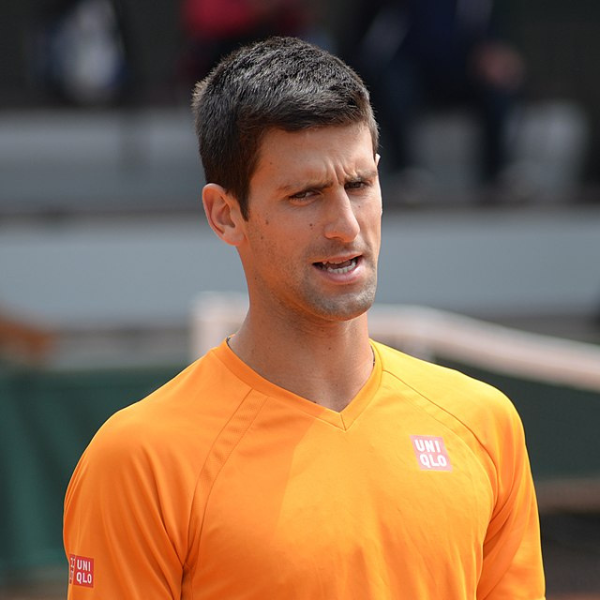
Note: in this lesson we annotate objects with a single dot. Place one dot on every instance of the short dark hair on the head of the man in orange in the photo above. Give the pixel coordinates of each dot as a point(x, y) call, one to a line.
point(280, 83)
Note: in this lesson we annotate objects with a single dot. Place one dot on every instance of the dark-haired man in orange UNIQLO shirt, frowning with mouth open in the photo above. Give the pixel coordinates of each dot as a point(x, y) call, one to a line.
point(299, 459)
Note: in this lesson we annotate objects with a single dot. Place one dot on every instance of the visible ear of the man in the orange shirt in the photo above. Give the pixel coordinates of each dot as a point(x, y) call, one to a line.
point(223, 214)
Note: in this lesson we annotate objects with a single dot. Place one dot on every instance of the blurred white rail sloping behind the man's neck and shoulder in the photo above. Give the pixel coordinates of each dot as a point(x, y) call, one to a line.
point(427, 333)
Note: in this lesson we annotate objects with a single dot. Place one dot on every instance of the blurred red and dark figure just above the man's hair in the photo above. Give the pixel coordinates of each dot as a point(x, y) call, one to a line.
point(214, 28)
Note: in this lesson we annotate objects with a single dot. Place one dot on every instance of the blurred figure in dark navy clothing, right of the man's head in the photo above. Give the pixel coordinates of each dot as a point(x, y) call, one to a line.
point(418, 54)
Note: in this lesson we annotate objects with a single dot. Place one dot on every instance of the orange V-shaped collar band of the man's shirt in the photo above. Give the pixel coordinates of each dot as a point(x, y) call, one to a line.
point(342, 419)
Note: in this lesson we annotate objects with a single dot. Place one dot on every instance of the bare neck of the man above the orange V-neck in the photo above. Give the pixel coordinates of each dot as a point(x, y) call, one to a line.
point(327, 363)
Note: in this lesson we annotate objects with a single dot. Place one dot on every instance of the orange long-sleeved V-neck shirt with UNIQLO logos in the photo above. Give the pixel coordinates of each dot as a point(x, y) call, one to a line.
point(221, 485)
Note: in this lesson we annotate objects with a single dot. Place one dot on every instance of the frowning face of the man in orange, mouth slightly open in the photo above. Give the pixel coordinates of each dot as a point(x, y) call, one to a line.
point(313, 232)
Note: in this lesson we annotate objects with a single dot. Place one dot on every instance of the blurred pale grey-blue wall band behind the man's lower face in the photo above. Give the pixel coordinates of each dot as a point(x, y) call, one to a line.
point(143, 271)
